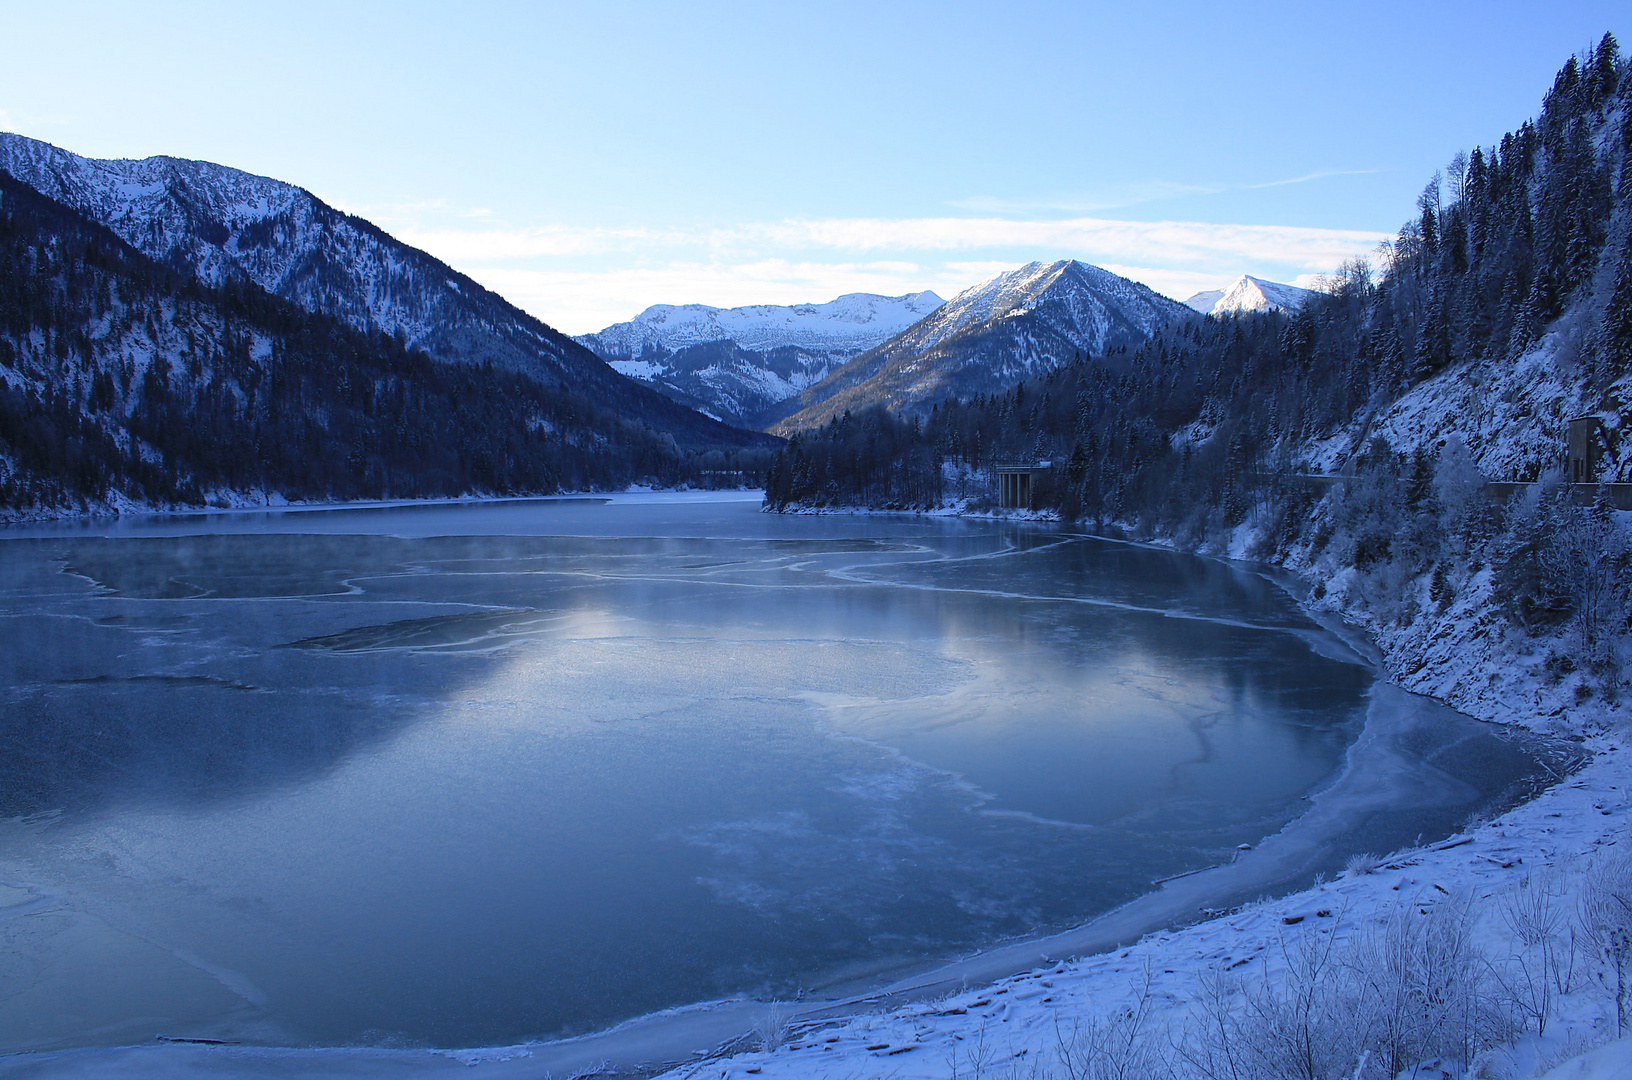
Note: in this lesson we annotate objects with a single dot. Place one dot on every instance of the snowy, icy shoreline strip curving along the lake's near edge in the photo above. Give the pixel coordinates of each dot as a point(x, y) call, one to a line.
point(921, 1025)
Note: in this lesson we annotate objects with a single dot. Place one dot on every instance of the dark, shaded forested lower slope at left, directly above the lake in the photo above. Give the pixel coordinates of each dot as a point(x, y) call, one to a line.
point(125, 383)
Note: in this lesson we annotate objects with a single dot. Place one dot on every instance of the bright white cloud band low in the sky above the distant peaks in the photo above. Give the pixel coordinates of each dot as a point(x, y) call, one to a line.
point(587, 278)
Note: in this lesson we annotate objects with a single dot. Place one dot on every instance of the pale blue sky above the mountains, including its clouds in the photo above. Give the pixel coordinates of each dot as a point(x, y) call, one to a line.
point(592, 159)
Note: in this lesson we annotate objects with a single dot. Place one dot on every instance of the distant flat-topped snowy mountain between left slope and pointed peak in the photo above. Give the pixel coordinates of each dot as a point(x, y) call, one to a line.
point(738, 363)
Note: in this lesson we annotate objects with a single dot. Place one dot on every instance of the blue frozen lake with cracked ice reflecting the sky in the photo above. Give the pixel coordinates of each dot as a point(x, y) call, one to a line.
point(464, 776)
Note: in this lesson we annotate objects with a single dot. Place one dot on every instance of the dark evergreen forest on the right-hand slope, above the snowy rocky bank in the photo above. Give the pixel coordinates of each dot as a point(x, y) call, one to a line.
point(1202, 423)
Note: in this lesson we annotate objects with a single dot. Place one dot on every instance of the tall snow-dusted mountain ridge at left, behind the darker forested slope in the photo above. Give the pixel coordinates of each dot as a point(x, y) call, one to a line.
point(223, 224)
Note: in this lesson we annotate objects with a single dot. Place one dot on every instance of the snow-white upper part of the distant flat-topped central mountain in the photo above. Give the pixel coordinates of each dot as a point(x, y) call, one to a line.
point(853, 324)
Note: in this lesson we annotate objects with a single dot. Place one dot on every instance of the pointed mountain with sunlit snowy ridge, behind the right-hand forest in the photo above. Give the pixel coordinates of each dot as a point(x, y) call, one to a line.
point(1018, 325)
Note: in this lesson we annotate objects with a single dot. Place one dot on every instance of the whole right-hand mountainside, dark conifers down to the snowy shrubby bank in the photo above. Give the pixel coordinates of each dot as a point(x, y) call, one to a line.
point(1502, 309)
